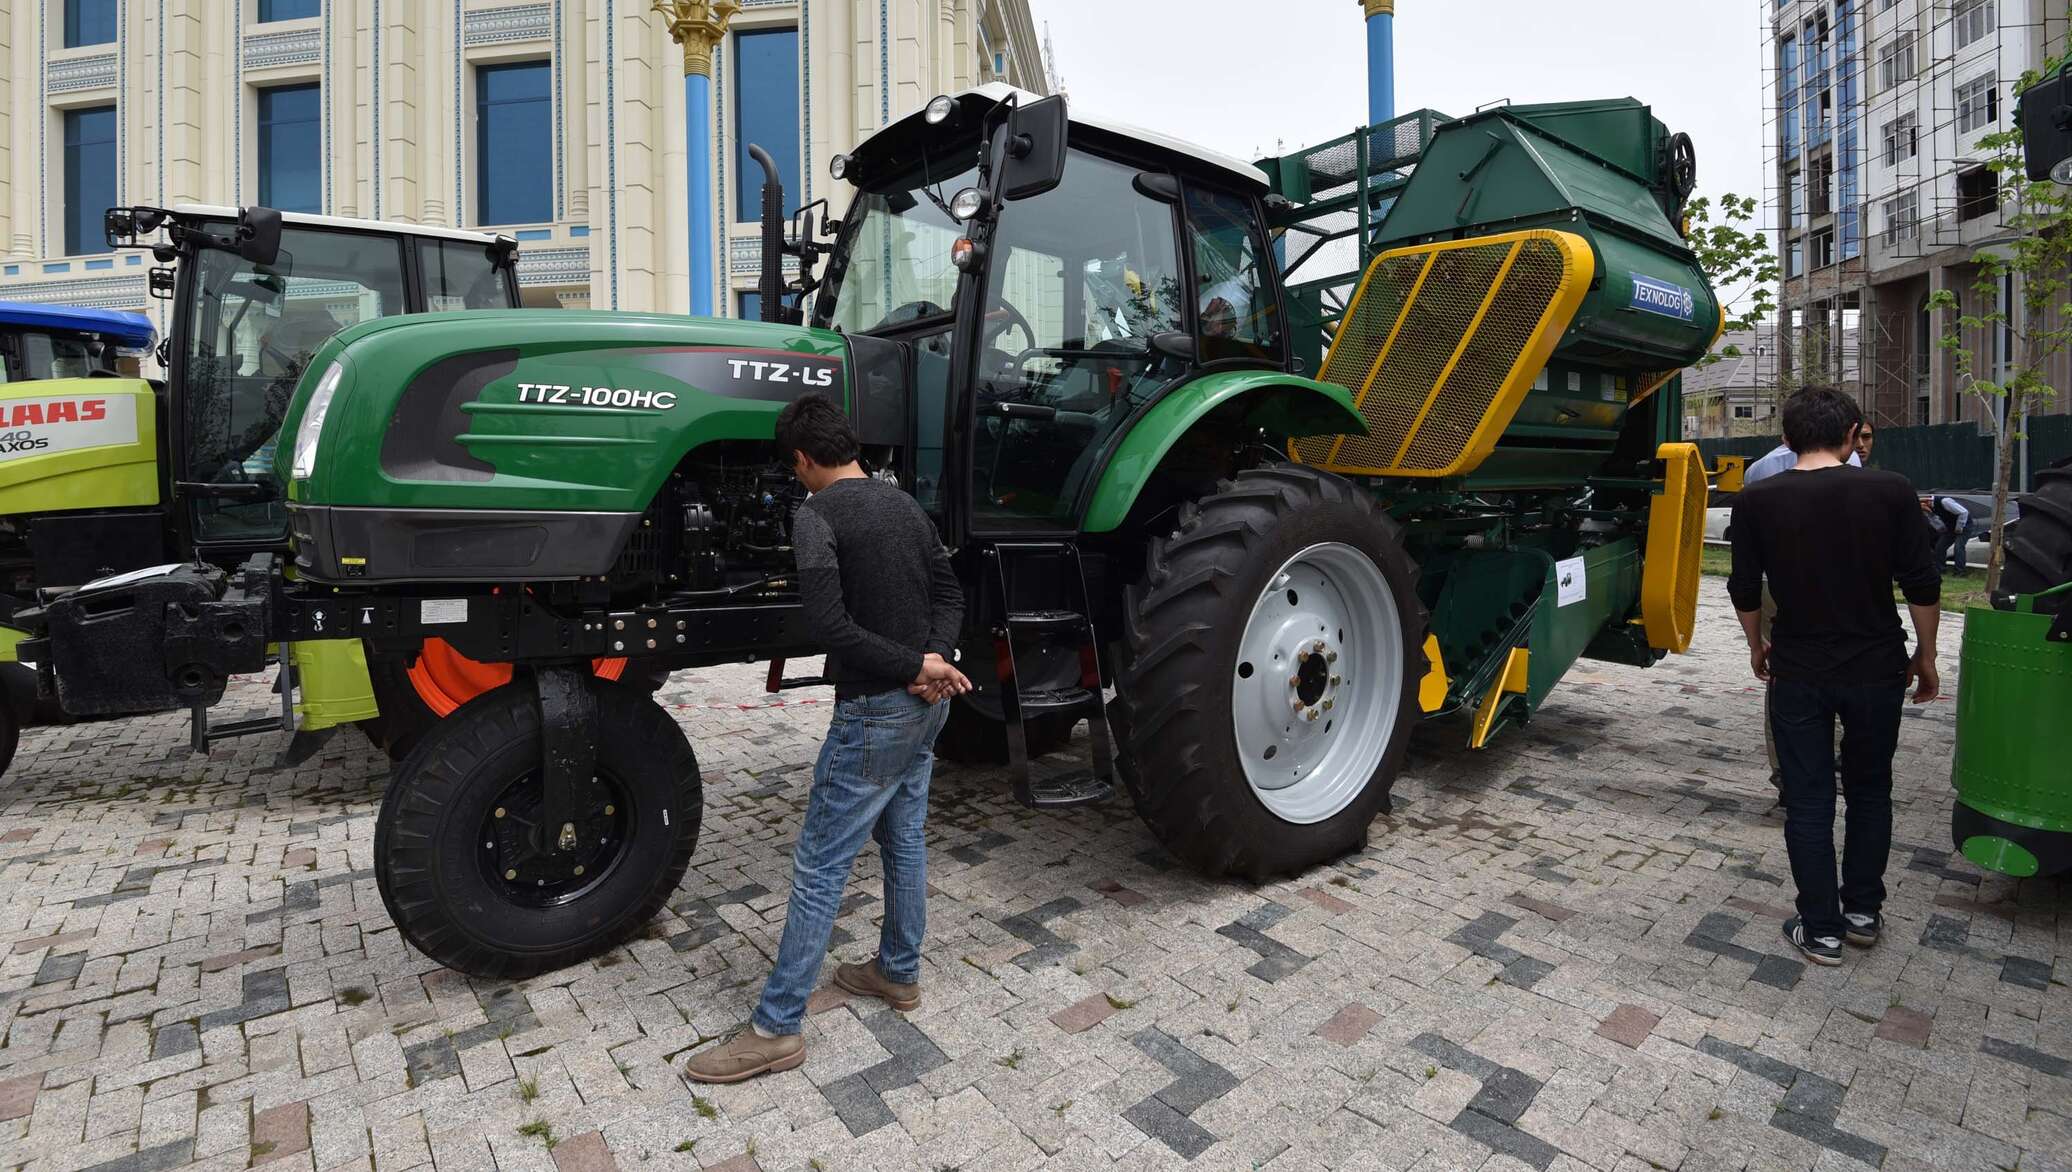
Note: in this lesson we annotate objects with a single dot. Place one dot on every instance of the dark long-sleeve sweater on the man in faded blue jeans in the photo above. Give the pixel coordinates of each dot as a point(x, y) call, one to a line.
point(877, 585)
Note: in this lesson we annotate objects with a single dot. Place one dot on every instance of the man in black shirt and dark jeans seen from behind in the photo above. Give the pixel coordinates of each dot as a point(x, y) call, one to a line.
point(1833, 541)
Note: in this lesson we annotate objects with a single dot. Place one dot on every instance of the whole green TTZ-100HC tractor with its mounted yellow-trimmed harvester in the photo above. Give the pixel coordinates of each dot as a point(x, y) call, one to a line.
point(1074, 343)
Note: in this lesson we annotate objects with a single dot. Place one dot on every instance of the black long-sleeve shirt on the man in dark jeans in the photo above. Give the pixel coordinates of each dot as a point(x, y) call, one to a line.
point(1833, 541)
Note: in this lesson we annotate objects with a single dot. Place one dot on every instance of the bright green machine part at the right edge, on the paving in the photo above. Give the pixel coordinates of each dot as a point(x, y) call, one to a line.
point(2013, 742)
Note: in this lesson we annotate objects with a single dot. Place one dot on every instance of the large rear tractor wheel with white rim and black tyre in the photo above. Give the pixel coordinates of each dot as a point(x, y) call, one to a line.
point(1267, 676)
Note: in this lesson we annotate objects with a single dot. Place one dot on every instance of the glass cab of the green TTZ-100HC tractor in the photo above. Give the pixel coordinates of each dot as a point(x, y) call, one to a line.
point(1049, 281)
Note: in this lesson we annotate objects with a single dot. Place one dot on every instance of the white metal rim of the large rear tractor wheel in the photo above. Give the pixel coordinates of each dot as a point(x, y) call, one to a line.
point(1317, 682)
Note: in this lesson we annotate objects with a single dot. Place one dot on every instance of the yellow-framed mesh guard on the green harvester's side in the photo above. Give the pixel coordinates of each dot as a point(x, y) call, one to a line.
point(1443, 343)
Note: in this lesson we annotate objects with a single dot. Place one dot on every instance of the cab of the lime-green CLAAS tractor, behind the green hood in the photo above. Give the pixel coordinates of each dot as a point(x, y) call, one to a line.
point(254, 295)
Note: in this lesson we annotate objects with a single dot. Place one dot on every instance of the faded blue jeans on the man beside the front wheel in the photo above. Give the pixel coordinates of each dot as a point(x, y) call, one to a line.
point(871, 782)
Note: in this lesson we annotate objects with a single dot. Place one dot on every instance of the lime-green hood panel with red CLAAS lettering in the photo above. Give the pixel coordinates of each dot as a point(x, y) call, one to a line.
point(78, 444)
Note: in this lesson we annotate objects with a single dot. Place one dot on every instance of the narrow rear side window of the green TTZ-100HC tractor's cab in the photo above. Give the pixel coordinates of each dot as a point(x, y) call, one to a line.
point(1236, 295)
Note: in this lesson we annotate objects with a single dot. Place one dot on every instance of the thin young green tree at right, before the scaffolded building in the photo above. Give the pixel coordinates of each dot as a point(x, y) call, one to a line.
point(2038, 256)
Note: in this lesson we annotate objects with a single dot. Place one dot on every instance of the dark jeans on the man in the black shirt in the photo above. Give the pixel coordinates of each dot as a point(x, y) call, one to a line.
point(1804, 717)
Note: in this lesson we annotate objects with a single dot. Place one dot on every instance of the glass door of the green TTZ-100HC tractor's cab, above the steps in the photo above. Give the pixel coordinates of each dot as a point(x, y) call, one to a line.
point(1083, 281)
